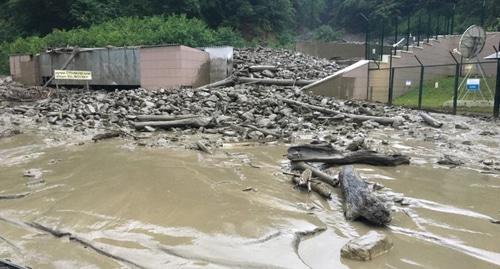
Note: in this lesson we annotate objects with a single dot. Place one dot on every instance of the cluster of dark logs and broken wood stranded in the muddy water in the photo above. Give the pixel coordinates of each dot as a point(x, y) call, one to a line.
point(359, 200)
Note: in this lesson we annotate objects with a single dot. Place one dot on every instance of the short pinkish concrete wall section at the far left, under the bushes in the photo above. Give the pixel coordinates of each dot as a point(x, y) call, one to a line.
point(25, 69)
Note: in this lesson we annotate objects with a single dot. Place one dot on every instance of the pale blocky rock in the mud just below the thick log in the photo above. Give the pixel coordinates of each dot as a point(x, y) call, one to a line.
point(367, 247)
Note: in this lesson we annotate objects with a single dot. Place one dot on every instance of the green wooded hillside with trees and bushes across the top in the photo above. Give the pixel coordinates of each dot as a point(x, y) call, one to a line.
point(31, 25)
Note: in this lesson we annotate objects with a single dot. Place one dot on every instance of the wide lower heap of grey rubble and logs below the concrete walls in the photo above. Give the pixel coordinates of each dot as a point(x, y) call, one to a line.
point(238, 113)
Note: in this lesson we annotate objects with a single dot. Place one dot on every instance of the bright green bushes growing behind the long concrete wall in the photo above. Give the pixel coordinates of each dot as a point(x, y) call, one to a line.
point(127, 32)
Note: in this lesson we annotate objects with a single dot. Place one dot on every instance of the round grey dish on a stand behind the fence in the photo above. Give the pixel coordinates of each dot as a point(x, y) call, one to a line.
point(472, 42)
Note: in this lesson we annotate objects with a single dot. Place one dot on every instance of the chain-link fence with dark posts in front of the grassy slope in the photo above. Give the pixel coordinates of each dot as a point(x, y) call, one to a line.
point(467, 88)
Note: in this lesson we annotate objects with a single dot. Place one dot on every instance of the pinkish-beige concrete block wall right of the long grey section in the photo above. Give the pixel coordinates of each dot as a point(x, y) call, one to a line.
point(173, 67)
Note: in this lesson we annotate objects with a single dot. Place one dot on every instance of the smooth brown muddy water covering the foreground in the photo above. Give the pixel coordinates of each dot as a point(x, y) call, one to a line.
point(174, 208)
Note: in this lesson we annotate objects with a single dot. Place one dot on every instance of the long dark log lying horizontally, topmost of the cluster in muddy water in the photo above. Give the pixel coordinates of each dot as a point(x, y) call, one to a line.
point(327, 154)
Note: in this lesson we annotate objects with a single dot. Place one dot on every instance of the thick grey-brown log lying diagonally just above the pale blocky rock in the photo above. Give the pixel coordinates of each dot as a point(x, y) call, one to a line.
point(359, 200)
